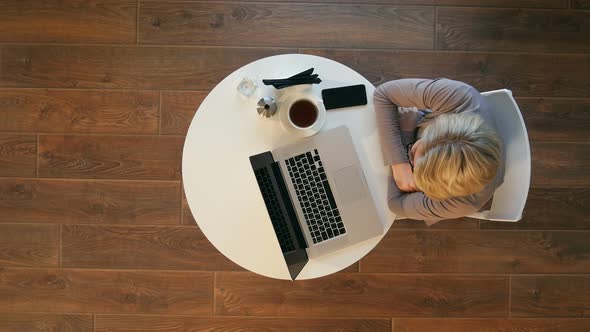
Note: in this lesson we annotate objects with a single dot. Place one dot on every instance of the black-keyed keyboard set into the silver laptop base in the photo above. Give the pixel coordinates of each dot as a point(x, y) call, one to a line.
point(315, 196)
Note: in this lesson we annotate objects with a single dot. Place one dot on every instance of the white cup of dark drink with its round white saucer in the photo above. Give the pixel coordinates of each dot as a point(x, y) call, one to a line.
point(302, 113)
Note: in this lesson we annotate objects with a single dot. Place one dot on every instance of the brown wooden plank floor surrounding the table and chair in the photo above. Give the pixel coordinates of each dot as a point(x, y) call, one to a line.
point(97, 95)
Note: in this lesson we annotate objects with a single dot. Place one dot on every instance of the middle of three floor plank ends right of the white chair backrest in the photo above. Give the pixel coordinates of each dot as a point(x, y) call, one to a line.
point(560, 164)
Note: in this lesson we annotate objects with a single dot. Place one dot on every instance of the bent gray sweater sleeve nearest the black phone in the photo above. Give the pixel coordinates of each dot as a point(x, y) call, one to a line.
point(439, 95)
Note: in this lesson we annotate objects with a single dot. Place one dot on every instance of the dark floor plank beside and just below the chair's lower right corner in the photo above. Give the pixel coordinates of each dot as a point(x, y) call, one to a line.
point(551, 208)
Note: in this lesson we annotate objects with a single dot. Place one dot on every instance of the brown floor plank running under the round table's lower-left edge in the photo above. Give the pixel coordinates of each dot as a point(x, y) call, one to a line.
point(140, 247)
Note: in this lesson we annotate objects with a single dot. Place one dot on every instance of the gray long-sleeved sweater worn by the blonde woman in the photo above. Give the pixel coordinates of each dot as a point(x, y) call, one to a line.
point(439, 96)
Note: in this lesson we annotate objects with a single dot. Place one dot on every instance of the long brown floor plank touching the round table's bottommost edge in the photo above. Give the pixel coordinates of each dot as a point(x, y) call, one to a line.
point(362, 295)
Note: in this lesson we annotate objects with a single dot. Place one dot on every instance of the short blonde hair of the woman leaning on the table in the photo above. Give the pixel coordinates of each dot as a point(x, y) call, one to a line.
point(461, 156)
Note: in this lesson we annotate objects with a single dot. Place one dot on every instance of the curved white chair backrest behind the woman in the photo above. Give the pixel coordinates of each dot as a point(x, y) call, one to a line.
point(510, 197)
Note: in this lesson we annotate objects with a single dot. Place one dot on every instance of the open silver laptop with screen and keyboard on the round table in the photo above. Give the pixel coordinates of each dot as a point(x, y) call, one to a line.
point(316, 196)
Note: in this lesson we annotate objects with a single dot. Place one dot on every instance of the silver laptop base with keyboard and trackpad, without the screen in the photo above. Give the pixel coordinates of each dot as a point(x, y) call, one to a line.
point(354, 205)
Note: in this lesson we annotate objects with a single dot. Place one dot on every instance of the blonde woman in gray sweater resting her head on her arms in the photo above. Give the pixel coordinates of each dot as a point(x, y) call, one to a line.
point(446, 159)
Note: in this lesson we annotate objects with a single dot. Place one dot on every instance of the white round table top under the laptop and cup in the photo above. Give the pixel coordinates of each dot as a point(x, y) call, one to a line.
point(219, 183)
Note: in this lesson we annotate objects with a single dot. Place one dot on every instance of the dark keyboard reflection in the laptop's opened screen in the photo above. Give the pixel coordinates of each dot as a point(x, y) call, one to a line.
point(279, 222)
